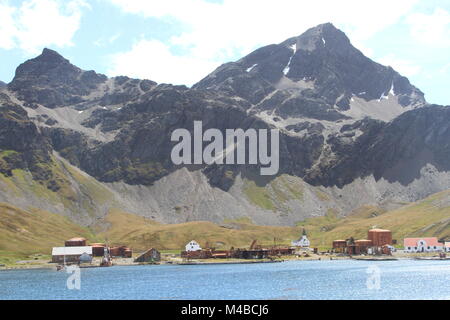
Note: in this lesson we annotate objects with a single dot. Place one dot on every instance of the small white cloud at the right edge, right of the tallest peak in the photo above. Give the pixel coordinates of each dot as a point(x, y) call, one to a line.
point(431, 29)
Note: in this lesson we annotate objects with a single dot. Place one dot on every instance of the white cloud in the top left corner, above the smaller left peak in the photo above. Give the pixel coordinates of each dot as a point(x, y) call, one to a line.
point(38, 23)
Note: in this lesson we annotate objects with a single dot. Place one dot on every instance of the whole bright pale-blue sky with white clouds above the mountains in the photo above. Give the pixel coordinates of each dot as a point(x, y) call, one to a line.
point(181, 41)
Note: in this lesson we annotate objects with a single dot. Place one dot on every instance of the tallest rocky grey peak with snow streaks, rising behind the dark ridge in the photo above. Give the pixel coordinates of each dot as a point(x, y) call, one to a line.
point(320, 71)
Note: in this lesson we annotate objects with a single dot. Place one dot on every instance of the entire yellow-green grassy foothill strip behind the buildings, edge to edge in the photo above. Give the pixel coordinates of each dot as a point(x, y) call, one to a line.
point(26, 232)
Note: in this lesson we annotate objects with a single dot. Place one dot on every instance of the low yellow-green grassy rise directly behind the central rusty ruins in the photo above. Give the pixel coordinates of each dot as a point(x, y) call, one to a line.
point(141, 233)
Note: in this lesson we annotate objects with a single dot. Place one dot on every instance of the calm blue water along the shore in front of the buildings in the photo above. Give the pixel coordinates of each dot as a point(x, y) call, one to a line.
point(406, 279)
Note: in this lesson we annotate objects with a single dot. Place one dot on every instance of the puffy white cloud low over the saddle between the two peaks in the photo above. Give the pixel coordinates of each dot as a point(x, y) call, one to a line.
point(152, 59)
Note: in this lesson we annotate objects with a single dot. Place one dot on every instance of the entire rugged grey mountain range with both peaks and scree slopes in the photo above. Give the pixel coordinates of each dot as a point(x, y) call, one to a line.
point(352, 133)
